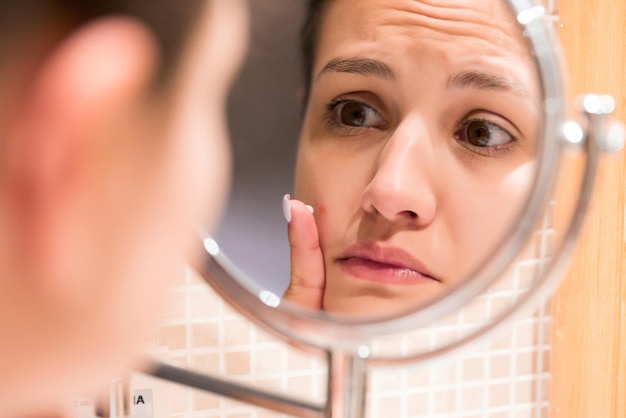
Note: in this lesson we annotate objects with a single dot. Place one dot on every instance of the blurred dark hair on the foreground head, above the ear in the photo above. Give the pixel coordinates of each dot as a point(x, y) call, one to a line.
point(170, 20)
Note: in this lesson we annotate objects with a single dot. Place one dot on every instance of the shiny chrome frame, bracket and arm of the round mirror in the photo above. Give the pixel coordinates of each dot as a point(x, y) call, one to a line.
point(344, 340)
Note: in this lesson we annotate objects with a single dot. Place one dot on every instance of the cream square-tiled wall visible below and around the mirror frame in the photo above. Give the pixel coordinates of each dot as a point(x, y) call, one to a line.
point(506, 376)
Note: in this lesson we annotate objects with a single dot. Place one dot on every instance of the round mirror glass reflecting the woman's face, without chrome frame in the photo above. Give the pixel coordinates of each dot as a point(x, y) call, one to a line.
point(412, 132)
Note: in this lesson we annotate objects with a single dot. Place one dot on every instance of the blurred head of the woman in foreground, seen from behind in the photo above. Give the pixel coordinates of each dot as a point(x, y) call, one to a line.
point(113, 150)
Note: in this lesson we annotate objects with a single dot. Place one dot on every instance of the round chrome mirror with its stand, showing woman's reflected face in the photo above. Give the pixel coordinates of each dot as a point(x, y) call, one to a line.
point(421, 145)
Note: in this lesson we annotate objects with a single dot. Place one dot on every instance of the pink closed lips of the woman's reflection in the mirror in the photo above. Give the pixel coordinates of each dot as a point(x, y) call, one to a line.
point(384, 264)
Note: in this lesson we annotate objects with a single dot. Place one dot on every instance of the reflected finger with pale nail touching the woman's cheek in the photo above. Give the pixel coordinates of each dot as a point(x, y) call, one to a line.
point(308, 279)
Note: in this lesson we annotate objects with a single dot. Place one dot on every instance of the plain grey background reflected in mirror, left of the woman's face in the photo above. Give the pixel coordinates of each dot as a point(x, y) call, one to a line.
point(264, 121)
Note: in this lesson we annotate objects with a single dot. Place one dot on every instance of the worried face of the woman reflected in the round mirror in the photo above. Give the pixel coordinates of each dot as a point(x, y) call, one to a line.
point(417, 147)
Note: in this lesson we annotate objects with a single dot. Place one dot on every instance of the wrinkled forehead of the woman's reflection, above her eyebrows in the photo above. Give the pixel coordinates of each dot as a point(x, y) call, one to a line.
point(446, 34)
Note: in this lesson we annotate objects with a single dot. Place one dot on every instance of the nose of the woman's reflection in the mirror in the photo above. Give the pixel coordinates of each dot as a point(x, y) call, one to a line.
point(401, 189)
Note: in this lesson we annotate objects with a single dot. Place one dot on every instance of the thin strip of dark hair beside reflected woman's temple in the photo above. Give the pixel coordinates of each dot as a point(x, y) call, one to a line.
point(309, 38)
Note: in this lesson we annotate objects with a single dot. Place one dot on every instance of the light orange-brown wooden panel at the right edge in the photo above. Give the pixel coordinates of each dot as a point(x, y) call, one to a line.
point(588, 360)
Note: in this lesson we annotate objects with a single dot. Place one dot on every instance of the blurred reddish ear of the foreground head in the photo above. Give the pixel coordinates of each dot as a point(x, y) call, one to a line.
point(91, 74)
